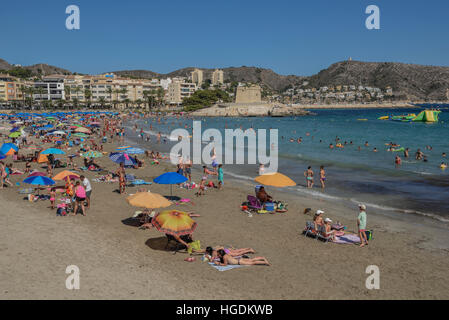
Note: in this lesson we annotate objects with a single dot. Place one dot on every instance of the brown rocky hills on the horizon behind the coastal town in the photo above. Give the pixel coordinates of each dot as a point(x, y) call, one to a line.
point(409, 81)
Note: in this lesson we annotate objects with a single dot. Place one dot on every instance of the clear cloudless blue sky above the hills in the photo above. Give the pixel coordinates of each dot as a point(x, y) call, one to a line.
point(290, 37)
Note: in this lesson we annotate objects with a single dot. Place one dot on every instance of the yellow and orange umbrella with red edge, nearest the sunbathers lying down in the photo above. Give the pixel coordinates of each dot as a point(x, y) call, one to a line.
point(174, 222)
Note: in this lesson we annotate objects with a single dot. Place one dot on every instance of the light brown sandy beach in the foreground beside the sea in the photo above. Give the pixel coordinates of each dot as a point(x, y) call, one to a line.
point(118, 261)
